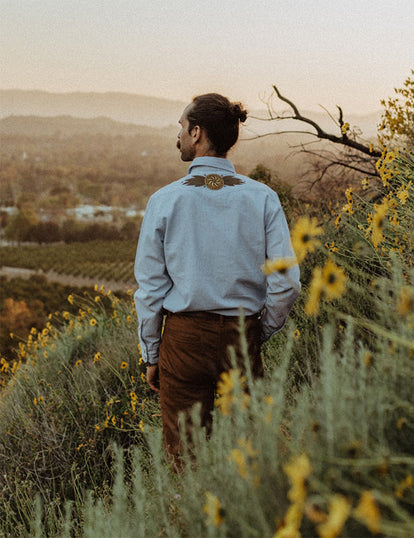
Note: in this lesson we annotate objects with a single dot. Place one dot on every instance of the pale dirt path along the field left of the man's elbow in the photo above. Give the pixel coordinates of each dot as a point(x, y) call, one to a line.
point(67, 280)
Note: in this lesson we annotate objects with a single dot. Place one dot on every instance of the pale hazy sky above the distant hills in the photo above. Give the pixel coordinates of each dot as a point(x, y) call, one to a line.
point(328, 52)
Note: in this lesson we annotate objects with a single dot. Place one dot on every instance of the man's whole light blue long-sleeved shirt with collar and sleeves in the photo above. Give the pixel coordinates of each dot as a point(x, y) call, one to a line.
point(202, 249)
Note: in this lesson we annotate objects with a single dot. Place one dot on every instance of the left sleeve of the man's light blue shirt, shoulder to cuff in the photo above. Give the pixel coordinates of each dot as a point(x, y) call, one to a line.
point(153, 282)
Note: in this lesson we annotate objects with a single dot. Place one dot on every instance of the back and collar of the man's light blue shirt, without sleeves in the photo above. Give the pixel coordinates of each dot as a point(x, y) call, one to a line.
point(214, 240)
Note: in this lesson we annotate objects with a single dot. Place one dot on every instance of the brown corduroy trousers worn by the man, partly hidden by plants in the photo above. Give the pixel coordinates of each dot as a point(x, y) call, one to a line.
point(193, 354)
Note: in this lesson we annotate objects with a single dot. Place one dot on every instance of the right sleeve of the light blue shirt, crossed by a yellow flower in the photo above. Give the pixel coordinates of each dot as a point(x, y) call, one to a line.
point(282, 288)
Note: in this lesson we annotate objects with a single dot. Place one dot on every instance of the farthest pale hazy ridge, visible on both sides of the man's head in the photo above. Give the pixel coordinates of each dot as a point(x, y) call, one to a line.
point(143, 110)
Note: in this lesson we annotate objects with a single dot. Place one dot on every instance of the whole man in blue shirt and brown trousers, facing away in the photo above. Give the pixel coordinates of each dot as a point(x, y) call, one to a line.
point(203, 241)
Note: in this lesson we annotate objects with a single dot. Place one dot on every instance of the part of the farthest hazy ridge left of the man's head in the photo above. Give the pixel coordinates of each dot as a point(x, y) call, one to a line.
point(124, 107)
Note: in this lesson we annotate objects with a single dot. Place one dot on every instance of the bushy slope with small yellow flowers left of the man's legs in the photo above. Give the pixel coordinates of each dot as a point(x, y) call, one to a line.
point(74, 391)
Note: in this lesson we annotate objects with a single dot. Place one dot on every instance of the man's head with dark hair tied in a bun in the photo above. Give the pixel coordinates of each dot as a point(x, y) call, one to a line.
point(209, 126)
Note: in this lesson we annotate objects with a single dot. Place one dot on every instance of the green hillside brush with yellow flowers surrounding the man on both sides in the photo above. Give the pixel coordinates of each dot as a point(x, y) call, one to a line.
point(321, 447)
